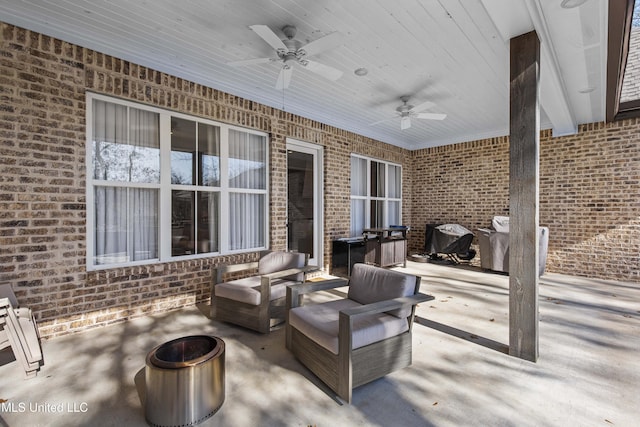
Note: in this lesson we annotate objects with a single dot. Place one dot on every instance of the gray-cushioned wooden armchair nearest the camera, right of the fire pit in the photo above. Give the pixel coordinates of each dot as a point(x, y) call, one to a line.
point(351, 341)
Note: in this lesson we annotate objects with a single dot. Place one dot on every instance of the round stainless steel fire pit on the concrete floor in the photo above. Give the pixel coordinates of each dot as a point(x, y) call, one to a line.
point(184, 381)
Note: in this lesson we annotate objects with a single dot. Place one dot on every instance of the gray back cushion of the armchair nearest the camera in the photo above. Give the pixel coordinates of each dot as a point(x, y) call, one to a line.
point(369, 284)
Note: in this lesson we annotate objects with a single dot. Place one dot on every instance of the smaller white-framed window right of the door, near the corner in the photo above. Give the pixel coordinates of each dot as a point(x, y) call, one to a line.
point(376, 194)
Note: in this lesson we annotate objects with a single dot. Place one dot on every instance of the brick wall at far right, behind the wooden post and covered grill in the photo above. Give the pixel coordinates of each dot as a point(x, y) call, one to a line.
point(589, 195)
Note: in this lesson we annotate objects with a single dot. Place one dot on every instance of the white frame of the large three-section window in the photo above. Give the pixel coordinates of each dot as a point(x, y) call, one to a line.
point(165, 187)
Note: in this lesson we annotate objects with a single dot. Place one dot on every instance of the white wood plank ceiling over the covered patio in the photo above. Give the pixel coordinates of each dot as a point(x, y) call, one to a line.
point(454, 53)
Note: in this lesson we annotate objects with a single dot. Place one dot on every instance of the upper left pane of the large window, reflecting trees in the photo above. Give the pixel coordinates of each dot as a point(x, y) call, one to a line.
point(125, 149)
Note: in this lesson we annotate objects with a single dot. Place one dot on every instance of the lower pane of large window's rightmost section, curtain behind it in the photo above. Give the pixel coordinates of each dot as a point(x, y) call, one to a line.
point(247, 221)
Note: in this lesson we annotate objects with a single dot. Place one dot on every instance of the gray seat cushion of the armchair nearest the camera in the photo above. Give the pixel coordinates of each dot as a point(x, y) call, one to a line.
point(320, 322)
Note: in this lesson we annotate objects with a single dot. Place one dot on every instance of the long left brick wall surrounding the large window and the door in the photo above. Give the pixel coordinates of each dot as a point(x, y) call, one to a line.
point(43, 83)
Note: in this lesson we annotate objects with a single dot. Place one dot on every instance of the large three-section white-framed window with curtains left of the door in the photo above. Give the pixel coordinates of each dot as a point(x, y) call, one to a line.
point(166, 186)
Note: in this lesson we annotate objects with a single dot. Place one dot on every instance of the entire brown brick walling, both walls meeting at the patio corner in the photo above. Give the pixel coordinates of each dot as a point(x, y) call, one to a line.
point(589, 185)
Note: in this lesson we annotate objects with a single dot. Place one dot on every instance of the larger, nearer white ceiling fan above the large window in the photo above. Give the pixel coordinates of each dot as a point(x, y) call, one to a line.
point(291, 51)
